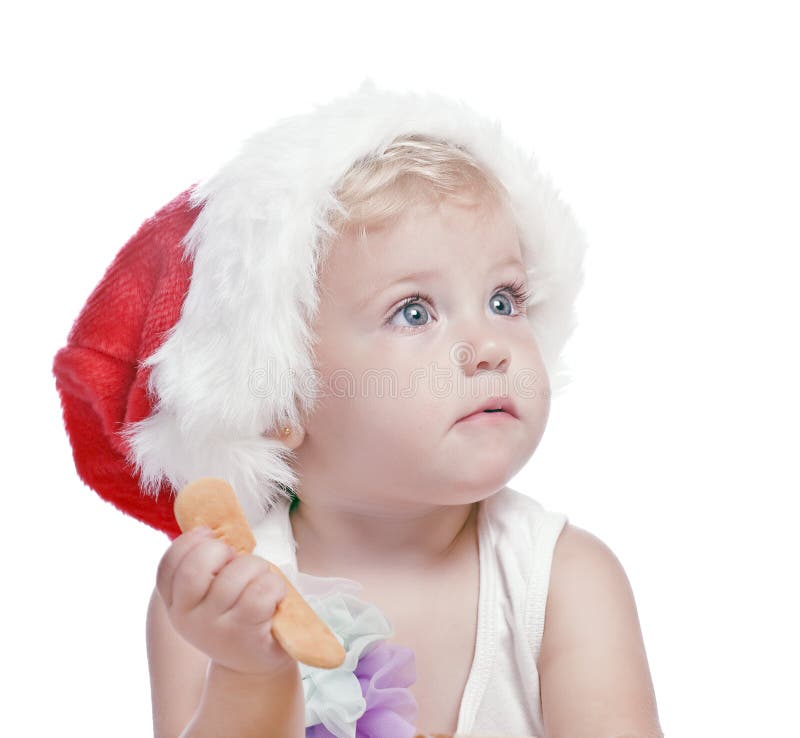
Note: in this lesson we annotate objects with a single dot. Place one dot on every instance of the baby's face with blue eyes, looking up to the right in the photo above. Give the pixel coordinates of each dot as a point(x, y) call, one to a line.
point(397, 378)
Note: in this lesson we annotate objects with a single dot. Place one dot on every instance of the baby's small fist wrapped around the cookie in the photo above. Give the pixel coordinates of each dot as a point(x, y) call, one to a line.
point(222, 602)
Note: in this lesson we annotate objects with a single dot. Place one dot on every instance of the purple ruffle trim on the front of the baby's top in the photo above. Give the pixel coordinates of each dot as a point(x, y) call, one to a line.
point(385, 674)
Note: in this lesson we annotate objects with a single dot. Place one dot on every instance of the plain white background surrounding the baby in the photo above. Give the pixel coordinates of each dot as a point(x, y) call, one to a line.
point(671, 128)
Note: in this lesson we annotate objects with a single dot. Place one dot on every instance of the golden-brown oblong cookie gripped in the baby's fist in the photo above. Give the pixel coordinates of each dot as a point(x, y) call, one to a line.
point(212, 502)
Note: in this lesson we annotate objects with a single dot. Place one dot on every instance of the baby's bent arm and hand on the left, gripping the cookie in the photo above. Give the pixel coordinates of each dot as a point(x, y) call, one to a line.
point(215, 669)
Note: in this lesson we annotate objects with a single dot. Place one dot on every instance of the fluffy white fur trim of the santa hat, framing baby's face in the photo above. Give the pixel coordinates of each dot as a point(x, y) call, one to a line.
point(234, 363)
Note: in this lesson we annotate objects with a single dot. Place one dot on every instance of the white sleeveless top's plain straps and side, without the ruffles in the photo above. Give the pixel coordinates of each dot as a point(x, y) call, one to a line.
point(516, 539)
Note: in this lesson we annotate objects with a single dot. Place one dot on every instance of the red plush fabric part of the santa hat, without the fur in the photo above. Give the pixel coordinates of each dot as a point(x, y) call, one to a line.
point(98, 376)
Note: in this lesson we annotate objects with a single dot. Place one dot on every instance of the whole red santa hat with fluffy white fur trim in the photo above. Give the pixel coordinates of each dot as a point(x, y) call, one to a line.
point(197, 339)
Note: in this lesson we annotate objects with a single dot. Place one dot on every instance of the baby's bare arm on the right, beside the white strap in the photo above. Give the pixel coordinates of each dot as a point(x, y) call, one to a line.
point(593, 671)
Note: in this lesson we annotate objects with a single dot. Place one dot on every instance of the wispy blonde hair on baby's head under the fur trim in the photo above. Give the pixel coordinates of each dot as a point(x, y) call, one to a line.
point(414, 169)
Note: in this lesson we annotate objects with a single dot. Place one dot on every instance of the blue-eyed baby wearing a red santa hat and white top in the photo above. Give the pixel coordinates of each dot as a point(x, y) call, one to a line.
point(358, 324)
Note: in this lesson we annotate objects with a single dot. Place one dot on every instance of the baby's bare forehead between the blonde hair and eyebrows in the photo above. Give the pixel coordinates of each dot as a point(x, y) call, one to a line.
point(431, 238)
